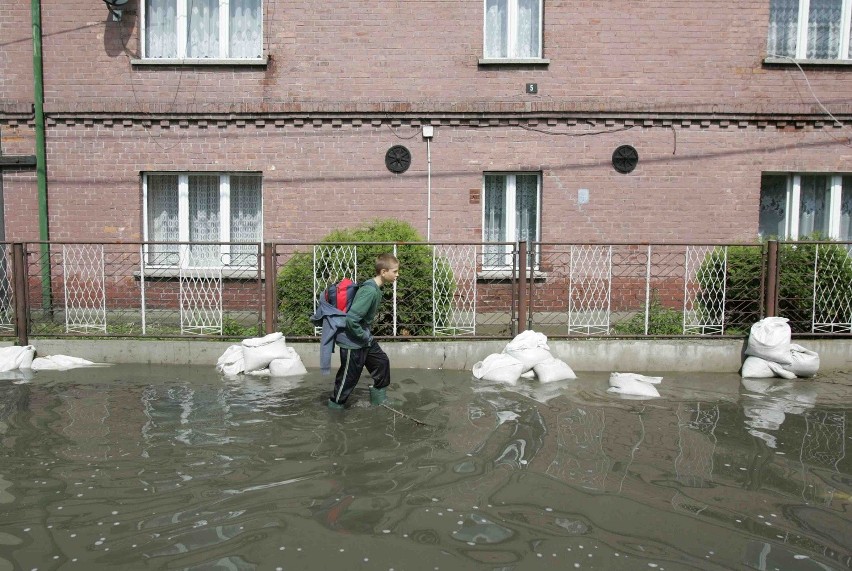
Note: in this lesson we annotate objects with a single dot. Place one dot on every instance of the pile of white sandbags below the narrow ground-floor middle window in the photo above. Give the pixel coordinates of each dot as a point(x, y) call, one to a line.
point(525, 355)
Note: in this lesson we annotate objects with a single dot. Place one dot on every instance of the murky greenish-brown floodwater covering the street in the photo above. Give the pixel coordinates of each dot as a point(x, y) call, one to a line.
point(164, 467)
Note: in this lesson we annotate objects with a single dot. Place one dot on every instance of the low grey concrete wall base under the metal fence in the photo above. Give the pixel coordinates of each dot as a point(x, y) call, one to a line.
point(688, 355)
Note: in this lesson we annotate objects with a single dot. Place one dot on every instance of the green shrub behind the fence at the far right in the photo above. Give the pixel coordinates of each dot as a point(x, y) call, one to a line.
point(796, 282)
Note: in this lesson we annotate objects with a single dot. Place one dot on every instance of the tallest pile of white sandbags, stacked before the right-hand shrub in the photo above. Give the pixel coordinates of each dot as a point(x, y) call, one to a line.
point(772, 354)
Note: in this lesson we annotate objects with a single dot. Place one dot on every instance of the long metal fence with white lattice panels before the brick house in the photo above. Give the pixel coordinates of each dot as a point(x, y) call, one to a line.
point(446, 290)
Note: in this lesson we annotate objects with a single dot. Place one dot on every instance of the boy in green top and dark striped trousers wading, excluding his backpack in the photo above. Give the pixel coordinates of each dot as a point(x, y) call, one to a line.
point(357, 347)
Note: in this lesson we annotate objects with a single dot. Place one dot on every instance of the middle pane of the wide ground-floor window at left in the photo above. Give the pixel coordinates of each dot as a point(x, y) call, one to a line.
point(204, 219)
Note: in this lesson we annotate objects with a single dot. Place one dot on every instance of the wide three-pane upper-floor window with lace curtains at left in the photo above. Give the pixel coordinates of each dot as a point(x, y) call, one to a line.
point(203, 29)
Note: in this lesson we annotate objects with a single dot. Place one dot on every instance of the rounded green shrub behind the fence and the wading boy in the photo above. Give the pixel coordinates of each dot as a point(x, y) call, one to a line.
point(414, 288)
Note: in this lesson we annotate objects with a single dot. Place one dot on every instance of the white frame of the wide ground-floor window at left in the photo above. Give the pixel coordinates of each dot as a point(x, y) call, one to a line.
point(183, 214)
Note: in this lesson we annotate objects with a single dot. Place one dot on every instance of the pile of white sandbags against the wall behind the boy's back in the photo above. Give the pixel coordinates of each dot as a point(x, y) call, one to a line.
point(268, 355)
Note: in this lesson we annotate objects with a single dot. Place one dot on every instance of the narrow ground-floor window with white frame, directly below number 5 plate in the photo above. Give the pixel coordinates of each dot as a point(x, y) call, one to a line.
point(510, 213)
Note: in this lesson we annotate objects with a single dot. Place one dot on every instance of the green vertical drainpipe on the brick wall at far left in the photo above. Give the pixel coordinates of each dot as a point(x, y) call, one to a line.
point(41, 164)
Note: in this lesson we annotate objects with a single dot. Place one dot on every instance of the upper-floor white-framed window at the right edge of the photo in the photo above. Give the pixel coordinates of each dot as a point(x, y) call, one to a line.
point(810, 29)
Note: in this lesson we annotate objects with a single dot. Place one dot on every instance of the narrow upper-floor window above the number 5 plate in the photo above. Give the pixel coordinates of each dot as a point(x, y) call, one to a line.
point(513, 29)
